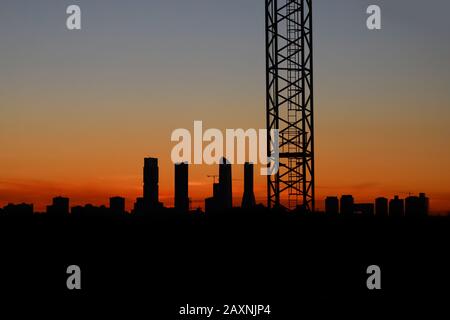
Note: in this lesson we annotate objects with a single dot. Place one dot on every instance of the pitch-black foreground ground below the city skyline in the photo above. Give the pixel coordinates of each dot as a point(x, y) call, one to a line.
point(153, 266)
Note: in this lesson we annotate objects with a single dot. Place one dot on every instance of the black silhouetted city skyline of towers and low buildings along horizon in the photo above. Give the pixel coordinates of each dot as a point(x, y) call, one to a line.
point(221, 200)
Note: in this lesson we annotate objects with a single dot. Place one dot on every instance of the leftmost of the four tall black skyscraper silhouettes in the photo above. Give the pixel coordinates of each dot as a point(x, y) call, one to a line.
point(151, 183)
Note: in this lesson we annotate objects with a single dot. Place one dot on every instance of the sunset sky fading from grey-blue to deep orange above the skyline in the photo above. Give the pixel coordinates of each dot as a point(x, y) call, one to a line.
point(79, 110)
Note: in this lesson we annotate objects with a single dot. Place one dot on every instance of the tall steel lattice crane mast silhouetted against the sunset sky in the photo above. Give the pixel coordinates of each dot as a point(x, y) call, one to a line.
point(289, 81)
